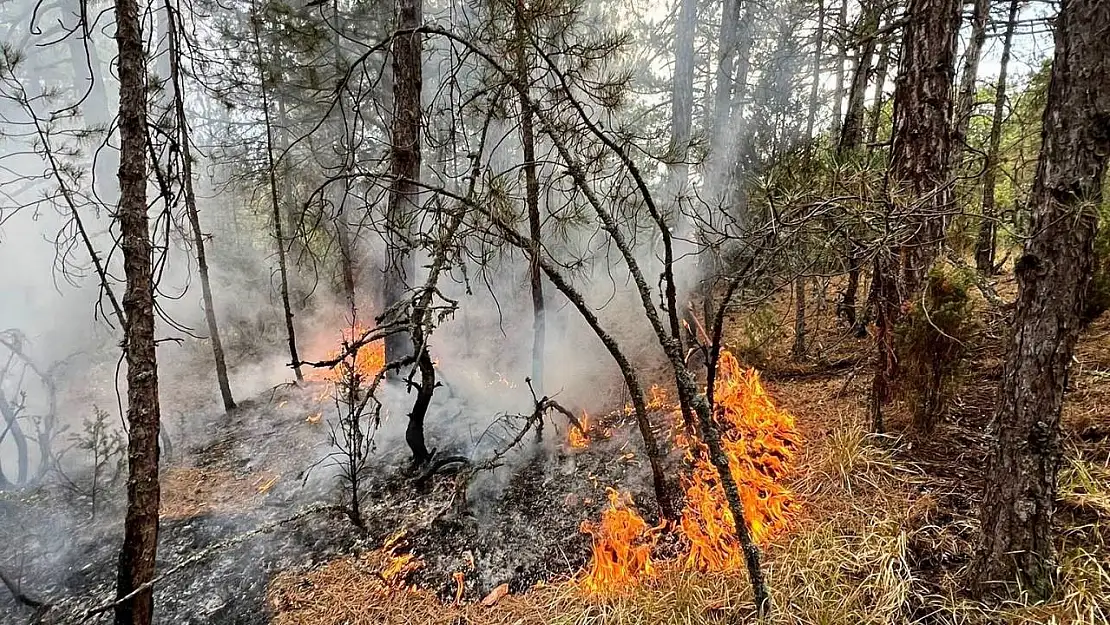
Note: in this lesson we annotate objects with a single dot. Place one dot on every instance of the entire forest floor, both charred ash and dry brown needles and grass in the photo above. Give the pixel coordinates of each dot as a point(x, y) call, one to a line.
point(883, 531)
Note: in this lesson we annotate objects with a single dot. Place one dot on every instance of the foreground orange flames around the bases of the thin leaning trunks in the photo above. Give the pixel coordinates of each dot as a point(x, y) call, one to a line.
point(760, 441)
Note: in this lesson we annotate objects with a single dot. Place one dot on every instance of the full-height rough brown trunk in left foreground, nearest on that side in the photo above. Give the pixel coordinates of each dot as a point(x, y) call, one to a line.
point(140, 527)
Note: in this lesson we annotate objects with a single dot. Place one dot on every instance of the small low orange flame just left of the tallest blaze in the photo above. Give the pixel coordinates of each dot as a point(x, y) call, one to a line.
point(623, 545)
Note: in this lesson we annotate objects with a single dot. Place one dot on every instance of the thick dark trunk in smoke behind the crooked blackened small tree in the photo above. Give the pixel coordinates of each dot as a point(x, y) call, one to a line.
point(405, 166)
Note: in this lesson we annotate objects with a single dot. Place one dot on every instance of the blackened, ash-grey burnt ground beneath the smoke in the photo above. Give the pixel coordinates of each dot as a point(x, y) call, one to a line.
point(267, 462)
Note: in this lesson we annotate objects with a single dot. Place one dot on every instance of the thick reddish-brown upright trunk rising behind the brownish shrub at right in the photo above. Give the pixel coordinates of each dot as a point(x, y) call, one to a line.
point(921, 155)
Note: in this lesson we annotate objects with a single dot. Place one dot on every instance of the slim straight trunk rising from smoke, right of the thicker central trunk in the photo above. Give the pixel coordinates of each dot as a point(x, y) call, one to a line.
point(532, 199)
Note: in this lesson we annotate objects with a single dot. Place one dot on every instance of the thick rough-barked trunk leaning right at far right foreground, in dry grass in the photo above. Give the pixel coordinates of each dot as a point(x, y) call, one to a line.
point(1054, 275)
